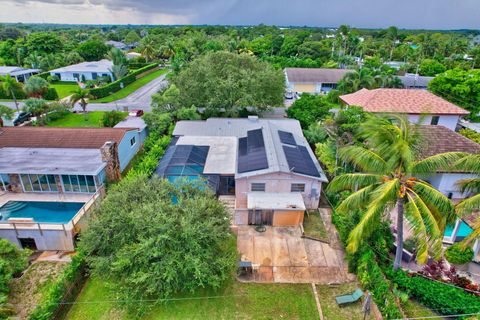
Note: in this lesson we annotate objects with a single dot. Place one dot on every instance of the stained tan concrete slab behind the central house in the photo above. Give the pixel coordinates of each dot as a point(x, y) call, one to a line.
point(282, 255)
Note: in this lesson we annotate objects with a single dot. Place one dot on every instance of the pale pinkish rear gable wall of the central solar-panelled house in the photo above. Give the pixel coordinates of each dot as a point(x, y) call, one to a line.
point(278, 182)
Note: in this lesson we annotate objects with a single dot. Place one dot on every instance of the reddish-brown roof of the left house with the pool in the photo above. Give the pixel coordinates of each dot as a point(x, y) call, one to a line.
point(40, 137)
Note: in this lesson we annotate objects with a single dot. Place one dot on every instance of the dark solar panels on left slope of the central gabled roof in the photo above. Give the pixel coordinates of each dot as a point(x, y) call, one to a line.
point(251, 152)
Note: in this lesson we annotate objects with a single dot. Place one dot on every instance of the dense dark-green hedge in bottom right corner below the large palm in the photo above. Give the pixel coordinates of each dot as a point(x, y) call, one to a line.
point(443, 298)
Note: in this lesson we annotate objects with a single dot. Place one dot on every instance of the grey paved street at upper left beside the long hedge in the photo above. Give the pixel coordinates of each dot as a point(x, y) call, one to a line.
point(139, 99)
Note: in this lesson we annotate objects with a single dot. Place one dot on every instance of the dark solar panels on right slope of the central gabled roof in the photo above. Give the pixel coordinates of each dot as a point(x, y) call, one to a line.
point(298, 157)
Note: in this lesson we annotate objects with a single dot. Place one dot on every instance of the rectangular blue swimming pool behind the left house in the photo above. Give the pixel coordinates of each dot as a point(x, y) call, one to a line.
point(46, 212)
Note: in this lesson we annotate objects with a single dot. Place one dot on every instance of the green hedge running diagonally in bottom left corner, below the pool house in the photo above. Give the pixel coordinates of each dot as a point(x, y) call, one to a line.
point(50, 306)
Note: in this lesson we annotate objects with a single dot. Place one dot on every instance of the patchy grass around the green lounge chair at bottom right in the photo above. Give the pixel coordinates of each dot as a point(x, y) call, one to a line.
point(331, 310)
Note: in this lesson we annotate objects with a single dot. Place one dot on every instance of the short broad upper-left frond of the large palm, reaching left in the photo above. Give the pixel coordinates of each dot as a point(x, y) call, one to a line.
point(362, 158)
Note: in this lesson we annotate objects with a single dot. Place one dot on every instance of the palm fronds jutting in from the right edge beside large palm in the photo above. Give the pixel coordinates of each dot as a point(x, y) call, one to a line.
point(471, 163)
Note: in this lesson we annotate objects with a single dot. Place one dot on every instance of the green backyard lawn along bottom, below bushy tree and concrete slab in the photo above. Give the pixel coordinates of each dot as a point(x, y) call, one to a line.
point(239, 301)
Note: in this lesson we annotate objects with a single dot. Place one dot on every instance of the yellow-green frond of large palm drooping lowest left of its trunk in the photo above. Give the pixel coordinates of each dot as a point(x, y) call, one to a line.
point(384, 198)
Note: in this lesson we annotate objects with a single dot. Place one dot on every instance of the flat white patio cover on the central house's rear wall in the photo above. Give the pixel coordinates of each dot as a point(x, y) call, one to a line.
point(275, 201)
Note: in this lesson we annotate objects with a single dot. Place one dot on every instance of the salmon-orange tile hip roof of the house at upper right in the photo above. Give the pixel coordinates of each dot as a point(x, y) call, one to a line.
point(410, 101)
